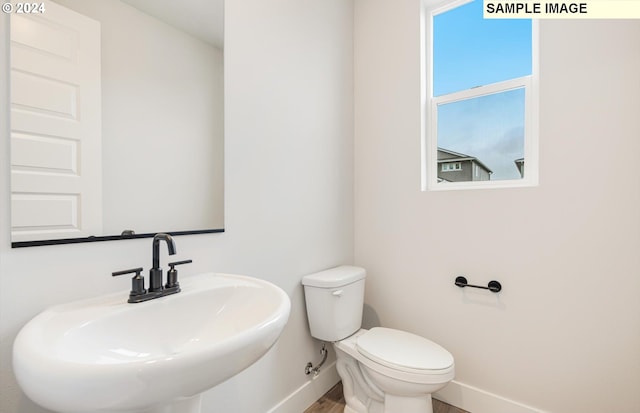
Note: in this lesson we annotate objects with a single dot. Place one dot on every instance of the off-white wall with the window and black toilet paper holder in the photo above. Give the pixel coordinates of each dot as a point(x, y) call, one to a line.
point(564, 335)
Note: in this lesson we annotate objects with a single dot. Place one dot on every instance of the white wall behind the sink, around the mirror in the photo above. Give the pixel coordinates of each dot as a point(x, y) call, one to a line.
point(289, 190)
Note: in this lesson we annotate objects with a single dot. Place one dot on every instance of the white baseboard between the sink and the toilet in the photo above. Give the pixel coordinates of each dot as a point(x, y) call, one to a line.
point(309, 392)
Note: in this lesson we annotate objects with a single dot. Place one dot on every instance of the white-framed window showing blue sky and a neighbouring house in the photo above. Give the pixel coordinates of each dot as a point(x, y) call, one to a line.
point(481, 98)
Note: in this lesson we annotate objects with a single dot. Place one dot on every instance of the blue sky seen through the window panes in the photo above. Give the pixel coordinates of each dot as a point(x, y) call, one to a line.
point(470, 51)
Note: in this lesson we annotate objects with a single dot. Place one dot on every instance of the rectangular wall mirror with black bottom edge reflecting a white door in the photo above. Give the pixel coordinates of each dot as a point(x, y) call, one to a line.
point(135, 150)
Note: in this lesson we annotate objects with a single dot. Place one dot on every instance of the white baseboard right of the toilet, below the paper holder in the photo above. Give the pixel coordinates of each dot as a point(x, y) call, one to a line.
point(473, 399)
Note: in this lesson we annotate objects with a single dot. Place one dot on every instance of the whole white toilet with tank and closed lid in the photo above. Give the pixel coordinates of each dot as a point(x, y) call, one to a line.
point(382, 370)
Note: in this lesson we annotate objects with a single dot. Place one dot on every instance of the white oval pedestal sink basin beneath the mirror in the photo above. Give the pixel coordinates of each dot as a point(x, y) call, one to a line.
point(105, 355)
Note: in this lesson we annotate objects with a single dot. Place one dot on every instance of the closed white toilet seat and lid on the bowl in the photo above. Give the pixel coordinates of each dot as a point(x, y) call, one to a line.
point(403, 351)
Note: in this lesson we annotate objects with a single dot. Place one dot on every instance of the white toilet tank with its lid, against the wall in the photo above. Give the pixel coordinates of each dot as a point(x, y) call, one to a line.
point(334, 299)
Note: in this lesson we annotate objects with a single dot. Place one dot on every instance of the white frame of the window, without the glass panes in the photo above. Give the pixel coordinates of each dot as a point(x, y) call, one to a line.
point(430, 103)
